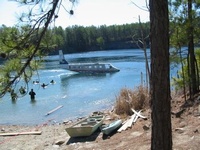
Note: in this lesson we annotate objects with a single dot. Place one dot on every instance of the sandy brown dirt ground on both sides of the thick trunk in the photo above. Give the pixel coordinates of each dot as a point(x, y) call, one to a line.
point(185, 129)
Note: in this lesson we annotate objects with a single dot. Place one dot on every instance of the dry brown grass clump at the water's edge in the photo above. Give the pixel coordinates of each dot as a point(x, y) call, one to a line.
point(127, 99)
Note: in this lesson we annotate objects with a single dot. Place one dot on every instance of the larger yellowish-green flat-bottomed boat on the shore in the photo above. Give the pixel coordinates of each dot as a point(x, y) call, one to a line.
point(86, 126)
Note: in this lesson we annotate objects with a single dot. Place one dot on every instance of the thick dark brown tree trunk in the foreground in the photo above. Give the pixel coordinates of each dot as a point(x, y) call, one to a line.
point(160, 81)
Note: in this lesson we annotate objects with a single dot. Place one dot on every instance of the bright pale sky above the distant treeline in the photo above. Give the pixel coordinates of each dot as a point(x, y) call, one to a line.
point(86, 12)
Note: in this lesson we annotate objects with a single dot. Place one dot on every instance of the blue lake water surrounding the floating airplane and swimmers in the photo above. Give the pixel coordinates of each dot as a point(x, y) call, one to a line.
point(79, 94)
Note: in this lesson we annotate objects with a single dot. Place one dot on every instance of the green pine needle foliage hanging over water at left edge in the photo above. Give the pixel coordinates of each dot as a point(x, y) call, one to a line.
point(16, 50)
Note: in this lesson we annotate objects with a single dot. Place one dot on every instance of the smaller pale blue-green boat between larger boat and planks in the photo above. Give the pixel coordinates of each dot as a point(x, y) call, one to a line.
point(107, 129)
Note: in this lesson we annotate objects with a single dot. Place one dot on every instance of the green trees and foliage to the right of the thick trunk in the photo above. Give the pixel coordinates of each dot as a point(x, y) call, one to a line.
point(184, 31)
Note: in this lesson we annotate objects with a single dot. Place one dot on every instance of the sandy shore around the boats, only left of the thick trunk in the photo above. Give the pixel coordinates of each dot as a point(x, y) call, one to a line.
point(55, 137)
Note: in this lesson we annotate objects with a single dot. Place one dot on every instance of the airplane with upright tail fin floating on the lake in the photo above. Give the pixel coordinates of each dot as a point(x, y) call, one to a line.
point(86, 67)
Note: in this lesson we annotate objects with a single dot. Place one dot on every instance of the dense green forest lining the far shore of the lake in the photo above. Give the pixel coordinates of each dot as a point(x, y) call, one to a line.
point(82, 39)
